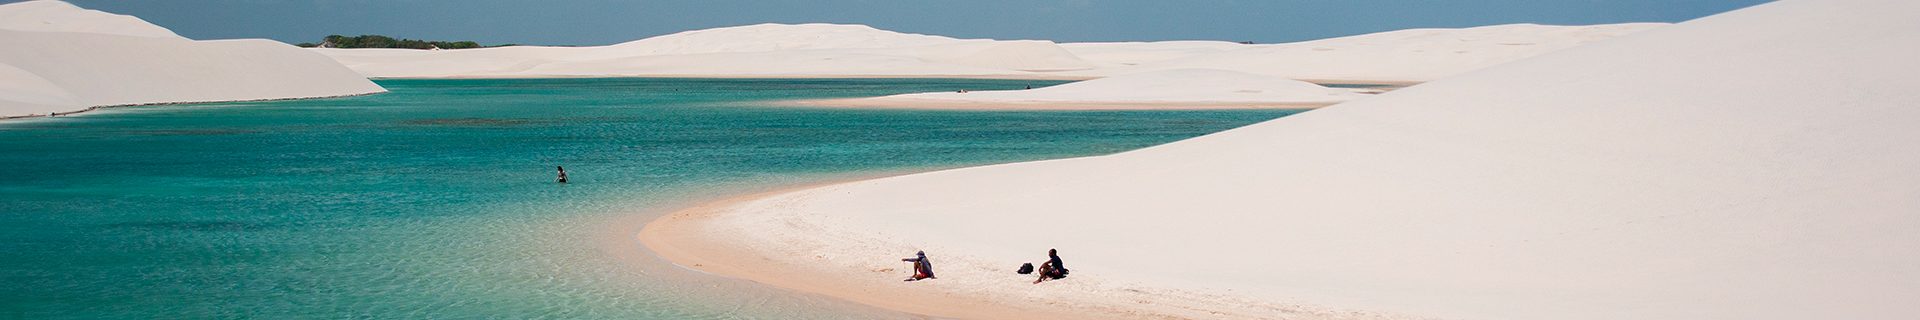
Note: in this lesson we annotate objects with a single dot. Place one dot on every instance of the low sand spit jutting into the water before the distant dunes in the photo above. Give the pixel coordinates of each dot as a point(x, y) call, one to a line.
point(1163, 89)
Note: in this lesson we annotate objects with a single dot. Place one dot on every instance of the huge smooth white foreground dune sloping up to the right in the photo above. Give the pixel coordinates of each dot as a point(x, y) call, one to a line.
point(1748, 166)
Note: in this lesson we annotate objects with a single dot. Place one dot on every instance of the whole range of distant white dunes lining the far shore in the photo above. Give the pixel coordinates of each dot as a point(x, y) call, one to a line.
point(859, 51)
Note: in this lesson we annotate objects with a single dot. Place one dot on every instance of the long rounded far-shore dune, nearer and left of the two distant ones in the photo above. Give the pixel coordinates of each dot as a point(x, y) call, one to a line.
point(752, 51)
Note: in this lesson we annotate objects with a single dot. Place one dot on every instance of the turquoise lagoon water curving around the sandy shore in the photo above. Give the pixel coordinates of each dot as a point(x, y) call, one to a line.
point(439, 200)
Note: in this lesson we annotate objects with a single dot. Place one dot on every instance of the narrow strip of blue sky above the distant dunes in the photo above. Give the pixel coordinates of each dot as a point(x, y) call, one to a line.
point(608, 22)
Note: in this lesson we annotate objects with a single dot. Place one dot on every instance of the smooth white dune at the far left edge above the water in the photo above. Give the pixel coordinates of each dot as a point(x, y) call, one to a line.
point(64, 58)
